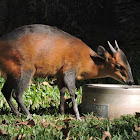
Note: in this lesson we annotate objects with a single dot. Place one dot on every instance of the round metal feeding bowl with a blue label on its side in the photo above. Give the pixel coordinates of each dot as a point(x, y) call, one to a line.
point(110, 100)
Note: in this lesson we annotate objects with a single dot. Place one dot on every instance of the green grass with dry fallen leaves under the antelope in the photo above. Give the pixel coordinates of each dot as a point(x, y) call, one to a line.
point(42, 99)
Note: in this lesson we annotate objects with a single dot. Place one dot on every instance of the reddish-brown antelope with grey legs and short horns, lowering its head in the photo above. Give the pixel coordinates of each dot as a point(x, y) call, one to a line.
point(41, 51)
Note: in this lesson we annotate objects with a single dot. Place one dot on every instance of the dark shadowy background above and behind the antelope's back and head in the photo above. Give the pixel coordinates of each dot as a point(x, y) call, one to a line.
point(93, 21)
